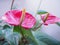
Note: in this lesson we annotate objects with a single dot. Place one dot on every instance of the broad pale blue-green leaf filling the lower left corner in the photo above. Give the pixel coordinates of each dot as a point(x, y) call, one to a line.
point(11, 37)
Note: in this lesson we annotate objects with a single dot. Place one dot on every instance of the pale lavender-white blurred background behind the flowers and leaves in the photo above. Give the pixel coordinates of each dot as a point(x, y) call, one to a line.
point(52, 6)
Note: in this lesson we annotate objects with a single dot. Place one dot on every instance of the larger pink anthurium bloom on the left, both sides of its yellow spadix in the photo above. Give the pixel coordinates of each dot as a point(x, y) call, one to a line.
point(13, 17)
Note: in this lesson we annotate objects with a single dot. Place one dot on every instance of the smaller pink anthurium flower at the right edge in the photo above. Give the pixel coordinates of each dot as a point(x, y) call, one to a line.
point(51, 19)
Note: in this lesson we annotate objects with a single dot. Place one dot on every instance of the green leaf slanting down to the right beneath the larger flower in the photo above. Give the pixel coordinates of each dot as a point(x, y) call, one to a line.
point(29, 35)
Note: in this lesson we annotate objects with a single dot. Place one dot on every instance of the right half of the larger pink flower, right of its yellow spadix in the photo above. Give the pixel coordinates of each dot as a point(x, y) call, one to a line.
point(29, 21)
